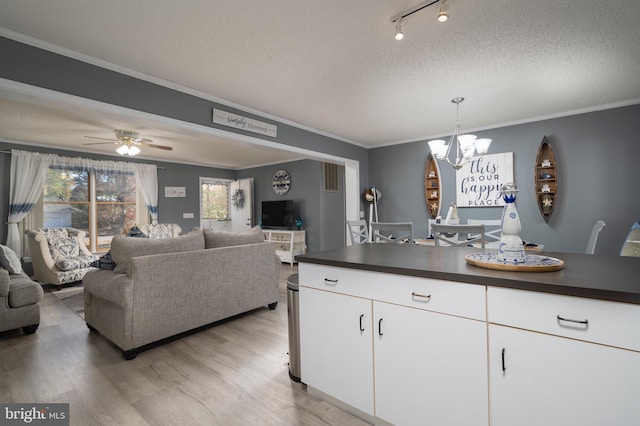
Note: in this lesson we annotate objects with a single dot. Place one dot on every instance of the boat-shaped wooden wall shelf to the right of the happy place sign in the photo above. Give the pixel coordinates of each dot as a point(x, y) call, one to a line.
point(546, 179)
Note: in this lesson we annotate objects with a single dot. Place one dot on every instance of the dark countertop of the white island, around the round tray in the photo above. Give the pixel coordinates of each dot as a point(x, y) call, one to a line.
point(614, 278)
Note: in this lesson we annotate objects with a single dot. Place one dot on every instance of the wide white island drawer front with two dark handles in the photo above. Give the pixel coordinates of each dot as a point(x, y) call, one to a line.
point(461, 299)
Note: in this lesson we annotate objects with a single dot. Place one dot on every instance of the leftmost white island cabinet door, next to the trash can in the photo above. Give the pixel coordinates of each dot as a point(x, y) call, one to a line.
point(336, 353)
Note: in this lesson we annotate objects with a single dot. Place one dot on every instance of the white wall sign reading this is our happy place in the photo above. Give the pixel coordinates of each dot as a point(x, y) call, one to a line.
point(479, 181)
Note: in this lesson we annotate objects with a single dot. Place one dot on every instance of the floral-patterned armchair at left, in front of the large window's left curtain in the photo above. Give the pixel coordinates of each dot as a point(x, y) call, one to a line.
point(59, 255)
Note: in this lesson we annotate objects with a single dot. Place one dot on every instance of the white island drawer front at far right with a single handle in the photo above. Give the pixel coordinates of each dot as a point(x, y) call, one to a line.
point(598, 321)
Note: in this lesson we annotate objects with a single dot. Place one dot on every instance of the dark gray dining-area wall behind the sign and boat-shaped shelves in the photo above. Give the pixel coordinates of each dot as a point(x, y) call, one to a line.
point(597, 155)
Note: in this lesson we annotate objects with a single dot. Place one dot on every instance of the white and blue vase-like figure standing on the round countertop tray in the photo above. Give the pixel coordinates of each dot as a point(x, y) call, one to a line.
point(511, 249)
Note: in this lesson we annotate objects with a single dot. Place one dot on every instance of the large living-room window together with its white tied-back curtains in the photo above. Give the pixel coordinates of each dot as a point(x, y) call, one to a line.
point(101, 197)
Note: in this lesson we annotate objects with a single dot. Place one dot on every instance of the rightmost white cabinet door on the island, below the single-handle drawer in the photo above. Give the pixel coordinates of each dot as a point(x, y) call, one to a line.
point(549, 380)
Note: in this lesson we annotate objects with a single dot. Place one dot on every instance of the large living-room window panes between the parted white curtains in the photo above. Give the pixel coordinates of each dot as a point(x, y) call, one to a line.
point(101, 204)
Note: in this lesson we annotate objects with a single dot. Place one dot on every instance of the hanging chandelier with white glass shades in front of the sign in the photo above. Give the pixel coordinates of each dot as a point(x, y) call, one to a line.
point(466, 145)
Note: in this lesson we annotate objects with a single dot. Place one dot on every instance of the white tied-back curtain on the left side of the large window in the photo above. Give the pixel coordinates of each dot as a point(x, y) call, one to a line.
point(28, 174)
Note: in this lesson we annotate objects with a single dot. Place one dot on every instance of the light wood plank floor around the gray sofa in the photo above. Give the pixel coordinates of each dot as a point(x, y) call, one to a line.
point(231, 373)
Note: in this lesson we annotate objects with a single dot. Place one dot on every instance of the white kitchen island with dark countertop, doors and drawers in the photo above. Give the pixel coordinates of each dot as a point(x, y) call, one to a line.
point(407, 334)
